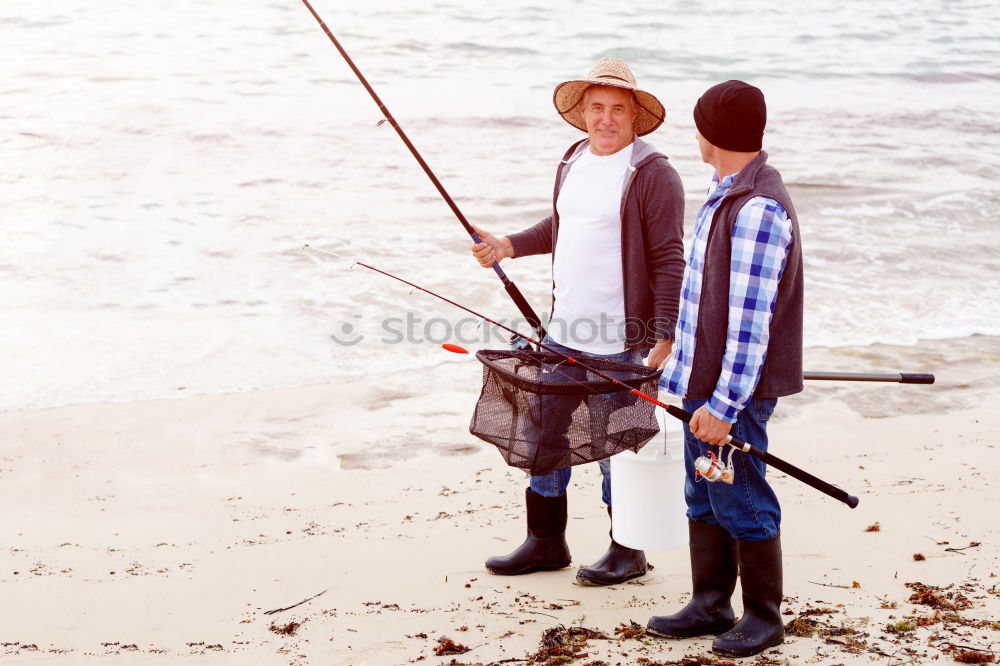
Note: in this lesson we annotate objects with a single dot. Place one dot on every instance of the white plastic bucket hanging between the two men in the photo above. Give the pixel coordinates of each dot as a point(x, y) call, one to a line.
point(647, 491)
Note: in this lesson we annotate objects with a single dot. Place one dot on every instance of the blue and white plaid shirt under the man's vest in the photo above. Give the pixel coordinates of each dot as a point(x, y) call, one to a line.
point(760, 240)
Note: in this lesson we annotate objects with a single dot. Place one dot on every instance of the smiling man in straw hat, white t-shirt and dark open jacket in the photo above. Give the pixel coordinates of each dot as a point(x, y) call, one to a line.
point(615, 235)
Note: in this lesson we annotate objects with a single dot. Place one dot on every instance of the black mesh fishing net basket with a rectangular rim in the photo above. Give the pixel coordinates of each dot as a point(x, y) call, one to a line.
point(544, 413)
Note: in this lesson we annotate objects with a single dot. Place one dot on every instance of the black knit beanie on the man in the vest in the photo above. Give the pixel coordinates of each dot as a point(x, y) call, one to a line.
point(732, 116)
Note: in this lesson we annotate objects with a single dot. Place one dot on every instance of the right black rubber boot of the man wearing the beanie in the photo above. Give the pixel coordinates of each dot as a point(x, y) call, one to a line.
point(760, 577)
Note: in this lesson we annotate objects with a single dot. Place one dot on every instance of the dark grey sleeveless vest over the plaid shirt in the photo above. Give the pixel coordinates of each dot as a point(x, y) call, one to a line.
point(782, 371)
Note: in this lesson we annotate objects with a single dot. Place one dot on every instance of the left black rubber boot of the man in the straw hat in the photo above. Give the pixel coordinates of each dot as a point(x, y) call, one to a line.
point(545, 547)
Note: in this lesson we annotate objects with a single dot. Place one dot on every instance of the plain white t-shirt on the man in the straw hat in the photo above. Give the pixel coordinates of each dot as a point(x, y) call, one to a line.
point(589, 312)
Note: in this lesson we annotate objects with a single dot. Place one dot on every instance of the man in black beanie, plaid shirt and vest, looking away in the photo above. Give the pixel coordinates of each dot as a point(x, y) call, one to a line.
point(738, 349)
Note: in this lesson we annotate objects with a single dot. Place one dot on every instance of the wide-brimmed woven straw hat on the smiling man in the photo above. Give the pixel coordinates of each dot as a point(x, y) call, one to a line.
point(608, 72)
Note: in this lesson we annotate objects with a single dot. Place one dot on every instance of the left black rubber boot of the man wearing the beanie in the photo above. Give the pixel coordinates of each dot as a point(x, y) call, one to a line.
point(713, 579)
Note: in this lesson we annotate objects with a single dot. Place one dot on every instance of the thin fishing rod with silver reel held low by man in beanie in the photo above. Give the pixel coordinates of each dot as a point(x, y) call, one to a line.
point(768, 458)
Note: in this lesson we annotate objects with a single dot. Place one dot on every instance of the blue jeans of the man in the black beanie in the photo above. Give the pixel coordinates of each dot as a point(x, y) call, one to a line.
point(748, 509)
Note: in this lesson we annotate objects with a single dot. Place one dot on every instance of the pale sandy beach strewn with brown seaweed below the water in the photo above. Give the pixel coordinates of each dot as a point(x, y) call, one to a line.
point(177, 530)
